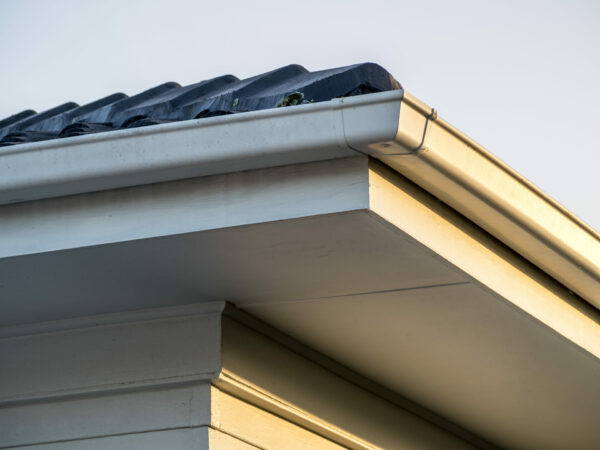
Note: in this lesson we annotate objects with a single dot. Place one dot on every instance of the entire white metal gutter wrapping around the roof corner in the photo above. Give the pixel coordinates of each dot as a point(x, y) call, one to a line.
point(393, 127)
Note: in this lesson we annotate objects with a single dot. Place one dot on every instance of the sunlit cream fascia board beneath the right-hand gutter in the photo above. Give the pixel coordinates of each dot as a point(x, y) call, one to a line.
point(483, 259)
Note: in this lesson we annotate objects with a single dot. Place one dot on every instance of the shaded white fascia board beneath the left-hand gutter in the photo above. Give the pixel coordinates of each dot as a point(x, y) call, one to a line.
point(184, 206)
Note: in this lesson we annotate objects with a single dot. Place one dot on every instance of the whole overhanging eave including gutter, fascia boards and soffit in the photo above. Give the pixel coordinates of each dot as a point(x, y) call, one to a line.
point(282, 213)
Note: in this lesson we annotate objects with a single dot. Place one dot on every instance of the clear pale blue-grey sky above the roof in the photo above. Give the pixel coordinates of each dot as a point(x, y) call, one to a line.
point(522, 78)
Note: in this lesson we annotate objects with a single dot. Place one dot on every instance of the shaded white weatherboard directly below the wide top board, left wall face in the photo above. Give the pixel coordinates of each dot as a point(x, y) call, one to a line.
point(102, 416)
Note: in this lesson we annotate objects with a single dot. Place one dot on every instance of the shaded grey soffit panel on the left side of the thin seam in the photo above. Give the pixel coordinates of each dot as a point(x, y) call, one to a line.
point(290, 260)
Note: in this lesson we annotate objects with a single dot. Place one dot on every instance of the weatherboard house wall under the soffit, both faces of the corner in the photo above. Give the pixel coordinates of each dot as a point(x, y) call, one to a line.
point(316, 408)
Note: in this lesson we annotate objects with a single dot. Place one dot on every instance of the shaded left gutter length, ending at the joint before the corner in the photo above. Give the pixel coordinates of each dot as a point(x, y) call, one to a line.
point(172, 151)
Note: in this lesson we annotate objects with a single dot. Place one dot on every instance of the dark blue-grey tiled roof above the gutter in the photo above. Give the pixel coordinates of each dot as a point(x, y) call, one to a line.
point(171, 102)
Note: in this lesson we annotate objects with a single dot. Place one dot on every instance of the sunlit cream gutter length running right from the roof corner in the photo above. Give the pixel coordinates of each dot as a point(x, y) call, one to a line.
point(460, 172)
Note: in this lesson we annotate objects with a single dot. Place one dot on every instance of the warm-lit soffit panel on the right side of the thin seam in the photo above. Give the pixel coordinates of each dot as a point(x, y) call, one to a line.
point(463, 353)
